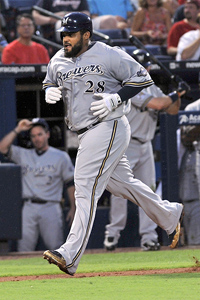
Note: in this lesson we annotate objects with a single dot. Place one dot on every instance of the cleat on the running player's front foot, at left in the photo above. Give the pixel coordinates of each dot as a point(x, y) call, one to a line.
point(54, 257)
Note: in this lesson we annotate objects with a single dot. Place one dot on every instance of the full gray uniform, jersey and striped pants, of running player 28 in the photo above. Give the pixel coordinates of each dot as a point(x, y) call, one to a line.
point(100, 162)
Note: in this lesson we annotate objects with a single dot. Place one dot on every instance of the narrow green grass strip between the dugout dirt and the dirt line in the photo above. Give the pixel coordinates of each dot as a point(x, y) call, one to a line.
point(106, 262)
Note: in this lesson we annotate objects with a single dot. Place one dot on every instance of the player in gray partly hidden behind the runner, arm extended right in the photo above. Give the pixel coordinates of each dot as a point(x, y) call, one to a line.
point(143, 120)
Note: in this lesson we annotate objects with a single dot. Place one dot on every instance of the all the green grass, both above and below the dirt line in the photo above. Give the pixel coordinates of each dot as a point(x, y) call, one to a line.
point(183, 286)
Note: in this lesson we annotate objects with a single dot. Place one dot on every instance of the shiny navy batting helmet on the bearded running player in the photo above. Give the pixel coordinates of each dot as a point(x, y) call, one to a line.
point(74, 22)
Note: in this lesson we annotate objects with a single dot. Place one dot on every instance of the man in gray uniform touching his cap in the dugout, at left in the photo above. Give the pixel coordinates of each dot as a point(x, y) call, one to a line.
point(44, 171)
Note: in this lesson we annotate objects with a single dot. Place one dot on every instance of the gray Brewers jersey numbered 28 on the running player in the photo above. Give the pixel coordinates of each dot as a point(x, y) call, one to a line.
point(81, 77)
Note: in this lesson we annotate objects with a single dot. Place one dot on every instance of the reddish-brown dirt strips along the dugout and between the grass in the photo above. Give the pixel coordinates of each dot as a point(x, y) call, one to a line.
point(13, 255)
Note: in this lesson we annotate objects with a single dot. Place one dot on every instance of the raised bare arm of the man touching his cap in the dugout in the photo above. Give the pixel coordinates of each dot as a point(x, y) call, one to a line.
point(8, 139)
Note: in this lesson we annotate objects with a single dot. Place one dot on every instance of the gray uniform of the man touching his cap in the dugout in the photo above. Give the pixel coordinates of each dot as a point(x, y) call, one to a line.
point(42, 177)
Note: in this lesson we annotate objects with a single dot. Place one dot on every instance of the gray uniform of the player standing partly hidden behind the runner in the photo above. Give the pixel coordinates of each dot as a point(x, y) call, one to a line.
point(143, 123)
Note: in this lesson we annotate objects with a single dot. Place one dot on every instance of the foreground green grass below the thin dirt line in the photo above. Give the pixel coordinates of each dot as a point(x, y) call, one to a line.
point(152, 287)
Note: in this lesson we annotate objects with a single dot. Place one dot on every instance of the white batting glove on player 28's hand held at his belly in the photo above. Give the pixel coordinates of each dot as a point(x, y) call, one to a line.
point(105, 104)
